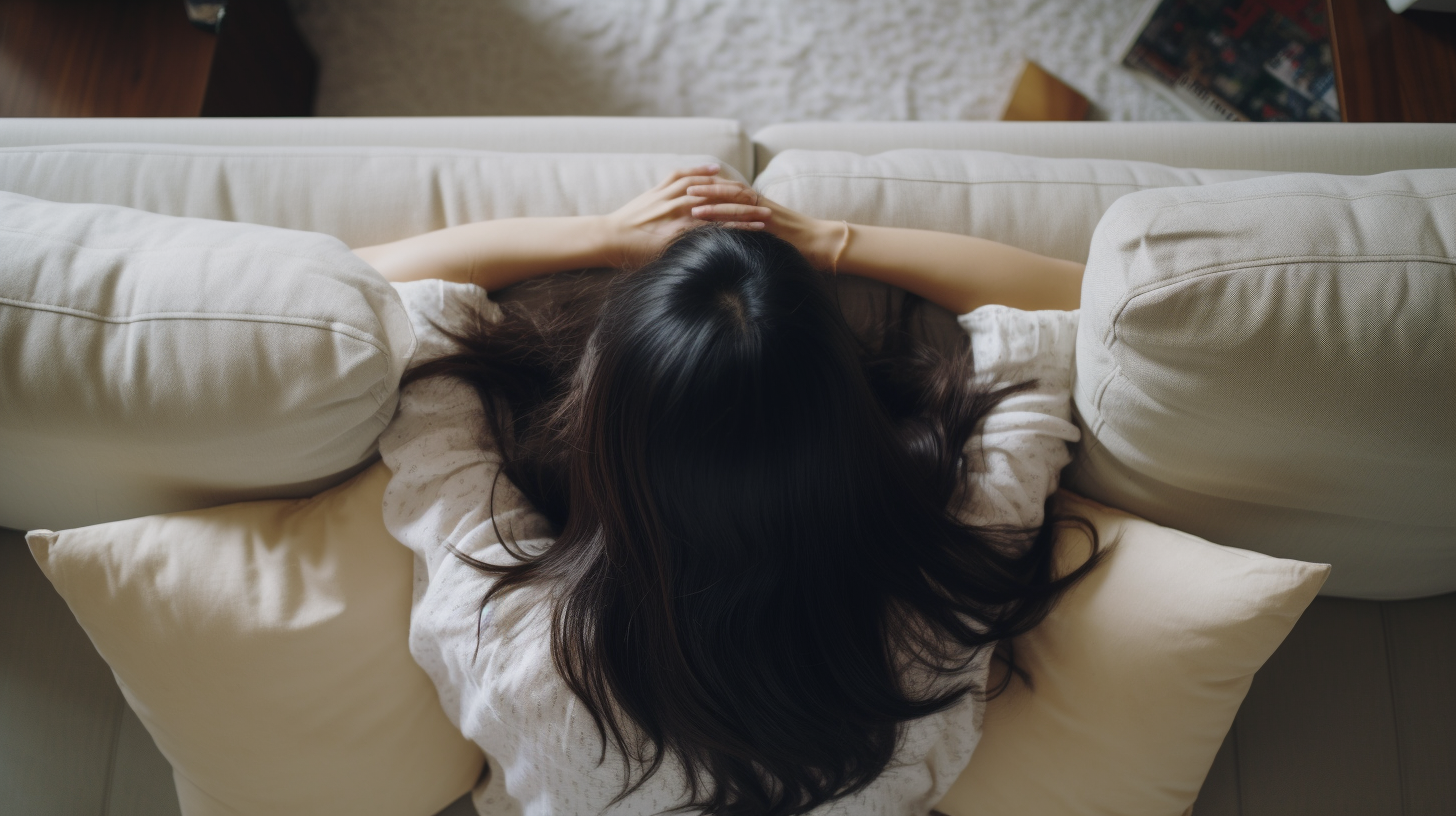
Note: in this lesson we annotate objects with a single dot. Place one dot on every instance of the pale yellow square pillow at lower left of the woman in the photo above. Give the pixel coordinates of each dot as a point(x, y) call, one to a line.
point(266, 649)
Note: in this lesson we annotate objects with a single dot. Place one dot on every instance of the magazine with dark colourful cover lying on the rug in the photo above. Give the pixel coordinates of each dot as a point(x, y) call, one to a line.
point(1244, 60)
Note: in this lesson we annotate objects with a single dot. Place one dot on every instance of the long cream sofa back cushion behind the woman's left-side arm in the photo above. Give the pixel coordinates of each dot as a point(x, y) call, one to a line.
point(360, 196)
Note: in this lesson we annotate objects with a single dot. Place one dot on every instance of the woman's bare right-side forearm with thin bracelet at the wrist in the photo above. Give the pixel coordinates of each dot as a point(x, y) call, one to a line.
point(956, 272)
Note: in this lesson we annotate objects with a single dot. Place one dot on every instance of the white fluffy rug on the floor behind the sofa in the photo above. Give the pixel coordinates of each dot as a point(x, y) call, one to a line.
point(755, 60)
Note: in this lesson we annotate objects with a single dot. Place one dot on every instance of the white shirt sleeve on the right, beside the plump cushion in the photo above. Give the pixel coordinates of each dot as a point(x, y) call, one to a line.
point(1024, 442)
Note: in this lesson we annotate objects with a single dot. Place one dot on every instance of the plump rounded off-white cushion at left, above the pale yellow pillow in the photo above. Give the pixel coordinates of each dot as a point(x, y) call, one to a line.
point(157, 364)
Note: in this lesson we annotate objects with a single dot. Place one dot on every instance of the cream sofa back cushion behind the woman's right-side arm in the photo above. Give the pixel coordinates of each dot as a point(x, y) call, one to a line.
point(1049, 206)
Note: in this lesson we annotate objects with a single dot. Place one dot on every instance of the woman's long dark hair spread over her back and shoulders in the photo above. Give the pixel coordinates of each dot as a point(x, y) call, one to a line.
point(756, 519)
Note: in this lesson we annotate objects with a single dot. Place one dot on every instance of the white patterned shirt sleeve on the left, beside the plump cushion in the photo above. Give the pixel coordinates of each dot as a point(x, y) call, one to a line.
point(446, 486)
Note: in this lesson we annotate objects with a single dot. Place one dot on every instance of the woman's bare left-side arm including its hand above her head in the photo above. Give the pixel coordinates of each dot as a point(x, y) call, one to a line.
point(497, 254)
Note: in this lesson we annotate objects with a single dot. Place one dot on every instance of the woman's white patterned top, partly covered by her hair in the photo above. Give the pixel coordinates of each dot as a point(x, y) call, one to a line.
point(503, 690)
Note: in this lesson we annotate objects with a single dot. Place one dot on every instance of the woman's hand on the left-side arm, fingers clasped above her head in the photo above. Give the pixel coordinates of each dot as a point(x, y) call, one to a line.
point(641, 228)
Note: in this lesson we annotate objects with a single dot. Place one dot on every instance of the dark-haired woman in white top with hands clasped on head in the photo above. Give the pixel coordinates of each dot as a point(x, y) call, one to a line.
point(733, 557)
